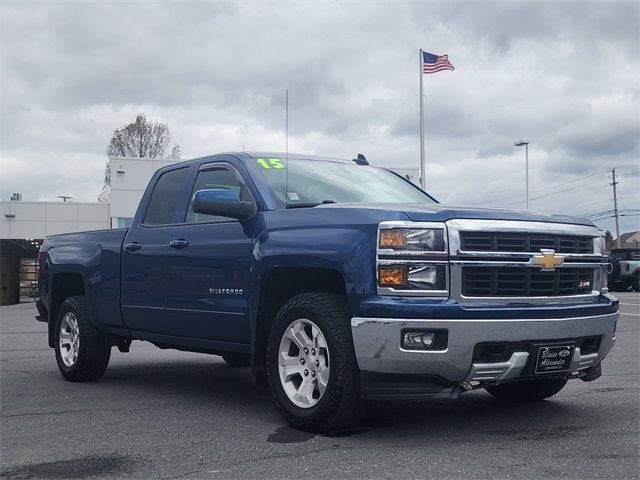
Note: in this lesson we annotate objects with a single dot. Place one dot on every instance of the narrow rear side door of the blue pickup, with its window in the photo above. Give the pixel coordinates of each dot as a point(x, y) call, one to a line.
point(144, 254)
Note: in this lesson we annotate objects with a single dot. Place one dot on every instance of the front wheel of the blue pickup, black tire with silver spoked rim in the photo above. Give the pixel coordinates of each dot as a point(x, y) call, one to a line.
point(333, 367)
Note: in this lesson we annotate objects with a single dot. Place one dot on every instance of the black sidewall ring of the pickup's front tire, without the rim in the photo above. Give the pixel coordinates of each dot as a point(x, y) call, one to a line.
point(282, 322)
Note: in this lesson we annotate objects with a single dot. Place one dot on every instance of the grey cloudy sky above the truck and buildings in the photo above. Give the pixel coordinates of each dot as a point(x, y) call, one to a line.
point(564, 75)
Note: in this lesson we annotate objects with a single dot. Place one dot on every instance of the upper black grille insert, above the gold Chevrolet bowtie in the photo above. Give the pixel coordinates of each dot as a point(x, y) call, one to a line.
point(524, 242)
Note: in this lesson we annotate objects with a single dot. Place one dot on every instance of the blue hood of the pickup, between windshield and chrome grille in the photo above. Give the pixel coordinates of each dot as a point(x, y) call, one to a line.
point(419, 212)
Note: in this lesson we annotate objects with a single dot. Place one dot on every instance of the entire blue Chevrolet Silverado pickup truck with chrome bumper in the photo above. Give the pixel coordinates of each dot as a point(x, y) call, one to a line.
point(336, 282)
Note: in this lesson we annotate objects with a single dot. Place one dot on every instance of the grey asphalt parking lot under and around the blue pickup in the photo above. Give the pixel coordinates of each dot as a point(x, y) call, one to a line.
point(168, 414)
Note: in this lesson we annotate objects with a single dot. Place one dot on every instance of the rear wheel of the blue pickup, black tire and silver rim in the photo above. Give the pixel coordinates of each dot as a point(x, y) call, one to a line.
point(89, 359)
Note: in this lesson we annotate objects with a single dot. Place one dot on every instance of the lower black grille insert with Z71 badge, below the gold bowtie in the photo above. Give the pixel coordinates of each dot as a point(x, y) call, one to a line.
point(525, 282)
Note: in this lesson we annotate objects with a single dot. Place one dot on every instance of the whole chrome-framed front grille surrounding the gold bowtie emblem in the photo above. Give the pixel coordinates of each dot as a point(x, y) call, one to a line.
point(504, 272)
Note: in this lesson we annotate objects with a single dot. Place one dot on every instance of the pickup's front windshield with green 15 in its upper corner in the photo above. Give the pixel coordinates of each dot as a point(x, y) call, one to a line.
point(314, 182)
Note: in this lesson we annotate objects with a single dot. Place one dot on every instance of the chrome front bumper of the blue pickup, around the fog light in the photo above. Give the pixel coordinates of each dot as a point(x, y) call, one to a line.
point(377, 345)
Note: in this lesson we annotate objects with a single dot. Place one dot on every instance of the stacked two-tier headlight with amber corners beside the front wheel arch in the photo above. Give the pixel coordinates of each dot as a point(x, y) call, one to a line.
point(412, 259)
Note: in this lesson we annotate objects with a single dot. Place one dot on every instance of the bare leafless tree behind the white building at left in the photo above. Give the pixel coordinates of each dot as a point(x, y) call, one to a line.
point(140, 139)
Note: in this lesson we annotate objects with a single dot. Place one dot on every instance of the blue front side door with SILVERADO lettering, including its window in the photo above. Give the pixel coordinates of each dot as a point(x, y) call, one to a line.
point(208, 266)
